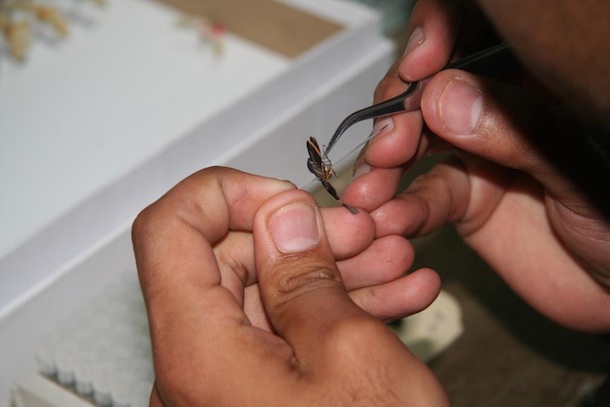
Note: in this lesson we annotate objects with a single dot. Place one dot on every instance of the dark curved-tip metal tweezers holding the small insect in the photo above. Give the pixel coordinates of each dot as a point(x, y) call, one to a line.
point(492, 62)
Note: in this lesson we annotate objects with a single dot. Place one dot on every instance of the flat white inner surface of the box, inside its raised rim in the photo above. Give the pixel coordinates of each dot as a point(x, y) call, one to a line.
point(80, 114)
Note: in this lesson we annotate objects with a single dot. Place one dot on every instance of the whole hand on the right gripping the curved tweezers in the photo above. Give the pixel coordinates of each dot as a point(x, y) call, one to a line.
point(522, 187)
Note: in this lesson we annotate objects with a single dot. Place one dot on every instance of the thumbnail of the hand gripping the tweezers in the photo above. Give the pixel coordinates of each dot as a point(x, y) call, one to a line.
point(460, 106)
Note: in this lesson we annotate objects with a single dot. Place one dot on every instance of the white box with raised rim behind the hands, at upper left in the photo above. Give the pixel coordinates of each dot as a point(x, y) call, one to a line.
point(66, 217)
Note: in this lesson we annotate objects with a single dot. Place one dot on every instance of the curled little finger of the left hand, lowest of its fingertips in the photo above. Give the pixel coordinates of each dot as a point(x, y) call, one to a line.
point(399, 298)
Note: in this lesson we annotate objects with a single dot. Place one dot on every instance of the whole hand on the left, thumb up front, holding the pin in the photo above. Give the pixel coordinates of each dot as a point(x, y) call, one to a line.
point(247, 306)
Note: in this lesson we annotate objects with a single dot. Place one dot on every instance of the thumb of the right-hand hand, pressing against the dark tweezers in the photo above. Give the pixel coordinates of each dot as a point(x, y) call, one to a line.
point(485, 118)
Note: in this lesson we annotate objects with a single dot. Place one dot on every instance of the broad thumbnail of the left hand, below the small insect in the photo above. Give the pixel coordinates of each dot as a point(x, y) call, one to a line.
point(294, 228)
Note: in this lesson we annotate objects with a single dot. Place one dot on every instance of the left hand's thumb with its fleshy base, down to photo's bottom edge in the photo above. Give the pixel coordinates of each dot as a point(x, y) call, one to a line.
point(349, 354)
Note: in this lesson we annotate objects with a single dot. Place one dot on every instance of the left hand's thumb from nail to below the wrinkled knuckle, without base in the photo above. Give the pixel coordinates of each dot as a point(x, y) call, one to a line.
point(299, 282)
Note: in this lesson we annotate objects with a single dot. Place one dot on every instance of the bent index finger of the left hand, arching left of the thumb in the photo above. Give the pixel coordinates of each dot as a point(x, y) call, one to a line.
point(200, 211)
